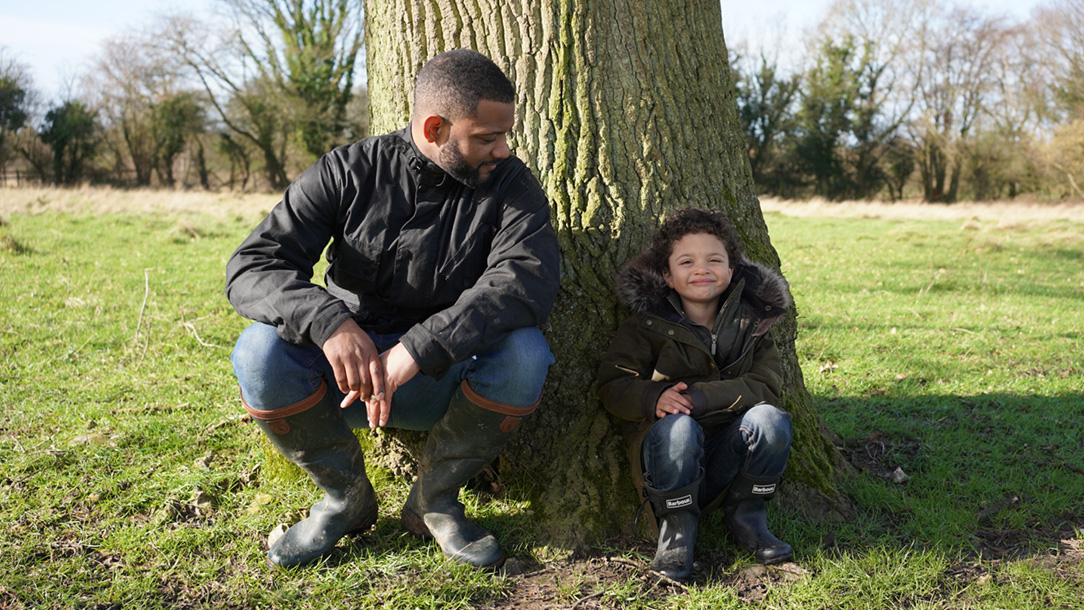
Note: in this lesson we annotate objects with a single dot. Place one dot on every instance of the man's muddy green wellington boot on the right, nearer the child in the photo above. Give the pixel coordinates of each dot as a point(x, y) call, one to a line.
point(467, 440)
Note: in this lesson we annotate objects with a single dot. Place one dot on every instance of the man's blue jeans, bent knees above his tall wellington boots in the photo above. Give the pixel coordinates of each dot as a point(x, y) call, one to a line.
point(275, 373)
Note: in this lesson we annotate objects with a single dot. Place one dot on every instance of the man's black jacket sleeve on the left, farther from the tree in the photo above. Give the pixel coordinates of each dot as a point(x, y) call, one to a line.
point(269, 278)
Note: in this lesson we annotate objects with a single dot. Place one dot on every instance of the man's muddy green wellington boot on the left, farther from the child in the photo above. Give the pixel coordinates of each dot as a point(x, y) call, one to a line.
point(314, 435)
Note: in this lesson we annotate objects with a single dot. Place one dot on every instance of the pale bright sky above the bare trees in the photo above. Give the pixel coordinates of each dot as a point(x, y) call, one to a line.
point(59, 40)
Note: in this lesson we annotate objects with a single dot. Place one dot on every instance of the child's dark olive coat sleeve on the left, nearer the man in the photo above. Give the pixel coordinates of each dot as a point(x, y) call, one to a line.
point(625, 375)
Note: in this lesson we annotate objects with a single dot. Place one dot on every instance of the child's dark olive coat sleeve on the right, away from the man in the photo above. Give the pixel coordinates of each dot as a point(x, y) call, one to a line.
point(717, 403)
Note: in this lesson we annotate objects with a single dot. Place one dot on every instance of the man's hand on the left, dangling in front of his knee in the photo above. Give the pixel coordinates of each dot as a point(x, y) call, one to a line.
point(359, 372)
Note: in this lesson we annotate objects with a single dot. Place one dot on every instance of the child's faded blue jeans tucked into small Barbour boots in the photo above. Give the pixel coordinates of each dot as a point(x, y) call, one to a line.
point(757, 444)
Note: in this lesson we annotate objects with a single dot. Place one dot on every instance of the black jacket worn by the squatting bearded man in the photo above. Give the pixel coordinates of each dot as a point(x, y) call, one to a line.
point(412, 251)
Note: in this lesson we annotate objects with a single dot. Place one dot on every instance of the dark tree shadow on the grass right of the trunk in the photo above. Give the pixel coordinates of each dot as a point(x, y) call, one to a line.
point(992, 476)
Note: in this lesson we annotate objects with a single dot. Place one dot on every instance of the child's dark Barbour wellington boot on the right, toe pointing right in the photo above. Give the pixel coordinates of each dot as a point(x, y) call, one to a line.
point(746, 518)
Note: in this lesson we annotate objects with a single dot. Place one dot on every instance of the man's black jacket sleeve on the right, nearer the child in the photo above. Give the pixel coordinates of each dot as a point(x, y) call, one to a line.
point(517, 291)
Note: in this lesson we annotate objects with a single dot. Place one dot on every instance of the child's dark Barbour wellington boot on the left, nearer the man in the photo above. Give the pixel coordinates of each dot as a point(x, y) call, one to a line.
point(678, 514)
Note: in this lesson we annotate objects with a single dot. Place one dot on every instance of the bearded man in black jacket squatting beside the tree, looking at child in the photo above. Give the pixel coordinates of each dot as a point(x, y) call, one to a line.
point(443, 267)
